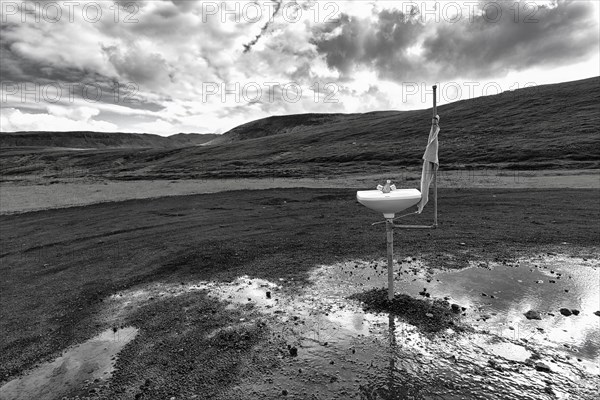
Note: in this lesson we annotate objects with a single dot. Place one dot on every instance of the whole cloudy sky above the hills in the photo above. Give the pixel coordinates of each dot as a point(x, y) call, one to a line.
point(184, 66)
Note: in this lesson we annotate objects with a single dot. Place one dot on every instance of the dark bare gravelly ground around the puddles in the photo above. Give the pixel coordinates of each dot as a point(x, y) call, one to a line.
point(60, 268)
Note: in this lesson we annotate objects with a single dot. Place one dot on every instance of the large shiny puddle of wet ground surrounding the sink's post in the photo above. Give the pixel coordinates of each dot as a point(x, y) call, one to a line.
point(338, 351)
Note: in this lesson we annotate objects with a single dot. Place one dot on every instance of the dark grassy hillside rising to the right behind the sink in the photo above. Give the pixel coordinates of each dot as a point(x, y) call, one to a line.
point(551, 126)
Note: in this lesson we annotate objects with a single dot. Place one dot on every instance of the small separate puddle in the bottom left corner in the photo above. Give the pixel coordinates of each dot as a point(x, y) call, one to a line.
point(88, 364)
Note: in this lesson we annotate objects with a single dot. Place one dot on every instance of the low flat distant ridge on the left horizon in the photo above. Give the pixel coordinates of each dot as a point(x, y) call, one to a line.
point(100, 140)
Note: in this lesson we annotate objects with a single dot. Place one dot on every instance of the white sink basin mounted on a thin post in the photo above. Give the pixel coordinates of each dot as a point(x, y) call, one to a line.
point(388, 203)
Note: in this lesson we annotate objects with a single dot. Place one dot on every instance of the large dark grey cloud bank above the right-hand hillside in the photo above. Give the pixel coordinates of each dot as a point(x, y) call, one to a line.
point(483, 46)
